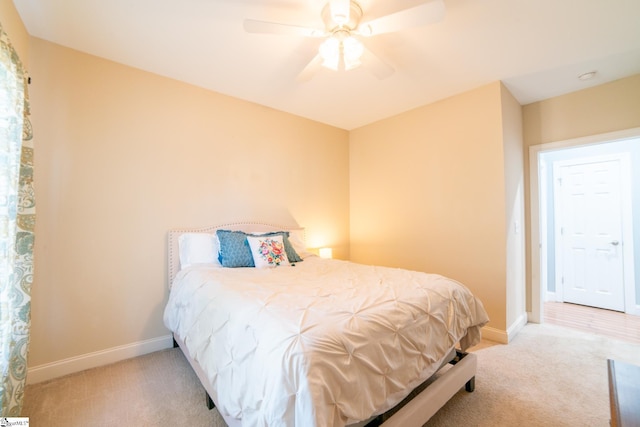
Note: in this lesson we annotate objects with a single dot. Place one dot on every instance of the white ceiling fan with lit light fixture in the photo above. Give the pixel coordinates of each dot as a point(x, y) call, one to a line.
point(343, 27)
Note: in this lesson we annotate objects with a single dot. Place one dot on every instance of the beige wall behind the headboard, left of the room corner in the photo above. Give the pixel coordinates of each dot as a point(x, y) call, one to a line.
point(121, 157)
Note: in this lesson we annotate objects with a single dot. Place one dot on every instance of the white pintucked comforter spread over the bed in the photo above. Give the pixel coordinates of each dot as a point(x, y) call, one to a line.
point(321, 343)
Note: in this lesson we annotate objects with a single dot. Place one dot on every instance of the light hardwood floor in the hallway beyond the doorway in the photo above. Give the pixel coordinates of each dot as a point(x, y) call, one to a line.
point(609, 323)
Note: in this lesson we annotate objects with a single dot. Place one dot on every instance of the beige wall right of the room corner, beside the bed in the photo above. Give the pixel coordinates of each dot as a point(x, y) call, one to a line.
point(428, 193)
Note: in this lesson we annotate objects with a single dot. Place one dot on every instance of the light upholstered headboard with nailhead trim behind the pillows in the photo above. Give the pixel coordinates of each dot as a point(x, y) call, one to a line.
point(173, 257)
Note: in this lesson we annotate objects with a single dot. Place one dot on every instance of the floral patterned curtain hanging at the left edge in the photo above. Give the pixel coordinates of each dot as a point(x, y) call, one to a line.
point(17, 220)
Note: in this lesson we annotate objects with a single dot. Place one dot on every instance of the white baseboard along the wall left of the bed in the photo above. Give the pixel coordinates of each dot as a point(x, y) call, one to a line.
point(75, 364)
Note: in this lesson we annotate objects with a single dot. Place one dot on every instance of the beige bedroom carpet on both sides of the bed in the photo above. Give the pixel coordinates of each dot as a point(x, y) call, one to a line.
point(547, 376)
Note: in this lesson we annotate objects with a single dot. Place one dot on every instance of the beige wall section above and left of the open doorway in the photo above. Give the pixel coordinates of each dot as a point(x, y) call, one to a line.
point(601, 109)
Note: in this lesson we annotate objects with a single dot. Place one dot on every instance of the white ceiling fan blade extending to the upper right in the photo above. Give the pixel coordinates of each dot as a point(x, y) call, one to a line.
point(423, 14)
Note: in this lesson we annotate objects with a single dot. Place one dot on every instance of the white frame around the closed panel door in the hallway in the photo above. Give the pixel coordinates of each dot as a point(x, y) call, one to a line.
point(626, 221)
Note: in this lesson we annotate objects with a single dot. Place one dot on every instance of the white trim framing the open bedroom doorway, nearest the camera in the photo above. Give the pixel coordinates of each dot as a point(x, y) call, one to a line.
point(538, 244)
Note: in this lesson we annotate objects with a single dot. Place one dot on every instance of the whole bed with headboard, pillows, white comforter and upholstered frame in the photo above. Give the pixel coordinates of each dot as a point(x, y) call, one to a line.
point(309, 341)
